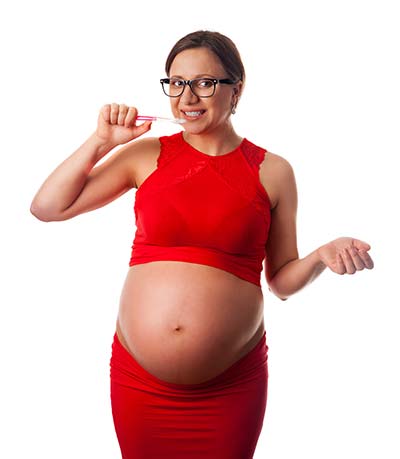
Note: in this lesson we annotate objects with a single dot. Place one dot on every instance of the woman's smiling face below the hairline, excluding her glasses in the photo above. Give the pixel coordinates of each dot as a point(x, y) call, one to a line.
point(202, 114)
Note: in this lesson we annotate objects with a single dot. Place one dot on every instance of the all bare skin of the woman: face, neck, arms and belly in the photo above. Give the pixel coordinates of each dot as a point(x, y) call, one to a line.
point(197, 313)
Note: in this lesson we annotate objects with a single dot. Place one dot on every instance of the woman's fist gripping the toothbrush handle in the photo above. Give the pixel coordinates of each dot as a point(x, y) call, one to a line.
point(116, 124)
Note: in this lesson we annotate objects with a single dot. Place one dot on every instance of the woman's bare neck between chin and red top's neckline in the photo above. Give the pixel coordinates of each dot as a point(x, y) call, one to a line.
point(214, 143)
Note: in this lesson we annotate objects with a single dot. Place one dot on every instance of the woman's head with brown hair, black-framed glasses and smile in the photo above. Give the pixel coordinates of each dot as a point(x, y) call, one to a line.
point(200, 56)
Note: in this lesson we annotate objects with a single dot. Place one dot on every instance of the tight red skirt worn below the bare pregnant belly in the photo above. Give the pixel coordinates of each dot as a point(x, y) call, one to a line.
point(221, 418)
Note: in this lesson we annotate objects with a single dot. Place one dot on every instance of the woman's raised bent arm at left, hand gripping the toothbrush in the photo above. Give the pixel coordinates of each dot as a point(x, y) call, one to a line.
point(75, 186)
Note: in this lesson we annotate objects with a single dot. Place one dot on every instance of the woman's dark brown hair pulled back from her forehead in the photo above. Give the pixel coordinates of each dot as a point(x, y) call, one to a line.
point(219, 44)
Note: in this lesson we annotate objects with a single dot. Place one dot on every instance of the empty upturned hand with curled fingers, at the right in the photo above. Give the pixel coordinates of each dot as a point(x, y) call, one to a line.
point(346, 255)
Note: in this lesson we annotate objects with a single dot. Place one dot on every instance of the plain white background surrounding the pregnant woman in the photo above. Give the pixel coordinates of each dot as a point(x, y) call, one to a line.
point(322, 91)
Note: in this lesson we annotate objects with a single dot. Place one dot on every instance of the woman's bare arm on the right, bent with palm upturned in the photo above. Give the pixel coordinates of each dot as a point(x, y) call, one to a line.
point(286, 273)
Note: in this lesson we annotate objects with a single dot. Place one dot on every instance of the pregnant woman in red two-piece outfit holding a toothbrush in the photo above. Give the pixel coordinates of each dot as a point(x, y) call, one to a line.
point(189, 356)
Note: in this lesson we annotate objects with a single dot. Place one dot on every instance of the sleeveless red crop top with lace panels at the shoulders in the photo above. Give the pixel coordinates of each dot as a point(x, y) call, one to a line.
point(209, 210)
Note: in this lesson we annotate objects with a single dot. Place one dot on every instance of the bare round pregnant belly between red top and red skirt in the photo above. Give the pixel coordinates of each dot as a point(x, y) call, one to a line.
point(186, 323)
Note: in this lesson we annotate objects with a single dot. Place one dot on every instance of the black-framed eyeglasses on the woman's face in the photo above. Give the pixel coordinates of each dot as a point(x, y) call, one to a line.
point(200, 87)
